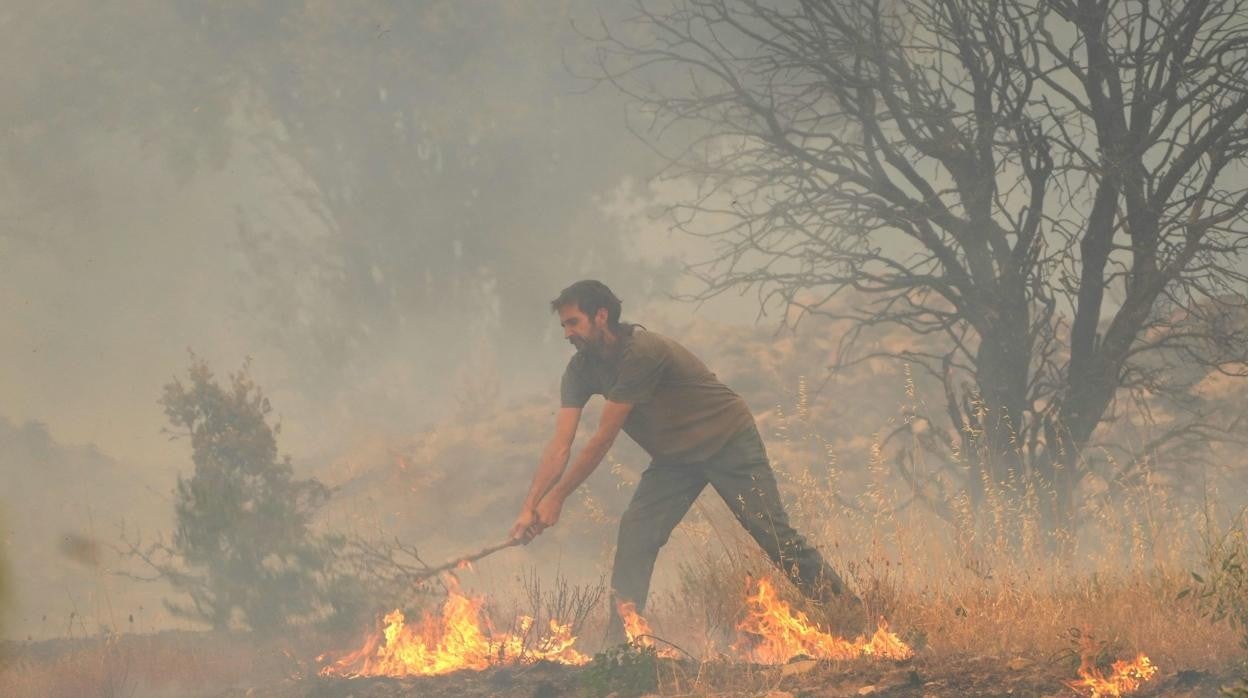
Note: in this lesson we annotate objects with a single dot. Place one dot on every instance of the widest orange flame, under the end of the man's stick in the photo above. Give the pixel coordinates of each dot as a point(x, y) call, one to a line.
point(459, 639)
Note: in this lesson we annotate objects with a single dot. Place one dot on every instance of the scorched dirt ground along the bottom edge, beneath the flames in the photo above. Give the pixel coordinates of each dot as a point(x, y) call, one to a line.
point(178, 665)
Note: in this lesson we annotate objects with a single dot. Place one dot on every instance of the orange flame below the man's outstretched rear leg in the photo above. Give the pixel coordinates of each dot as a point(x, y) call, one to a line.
point(773, 634)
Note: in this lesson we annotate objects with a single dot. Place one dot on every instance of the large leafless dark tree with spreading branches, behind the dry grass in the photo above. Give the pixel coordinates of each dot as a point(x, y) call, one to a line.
point(1050, 192)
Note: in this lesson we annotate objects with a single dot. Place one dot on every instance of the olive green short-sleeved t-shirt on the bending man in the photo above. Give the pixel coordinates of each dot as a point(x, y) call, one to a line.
point(682, 414)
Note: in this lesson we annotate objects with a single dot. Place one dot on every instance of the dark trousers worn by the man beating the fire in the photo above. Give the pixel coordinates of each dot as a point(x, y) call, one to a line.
point(742, 475)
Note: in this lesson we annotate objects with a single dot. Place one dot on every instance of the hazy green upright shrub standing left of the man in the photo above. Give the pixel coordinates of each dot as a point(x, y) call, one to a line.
point(243, 550)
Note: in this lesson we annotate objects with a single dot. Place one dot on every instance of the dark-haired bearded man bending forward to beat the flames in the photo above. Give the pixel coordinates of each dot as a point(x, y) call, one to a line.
point(695, 428)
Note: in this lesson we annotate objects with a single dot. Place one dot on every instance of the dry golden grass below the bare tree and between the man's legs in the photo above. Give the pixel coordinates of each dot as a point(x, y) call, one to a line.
point(984, 585)
